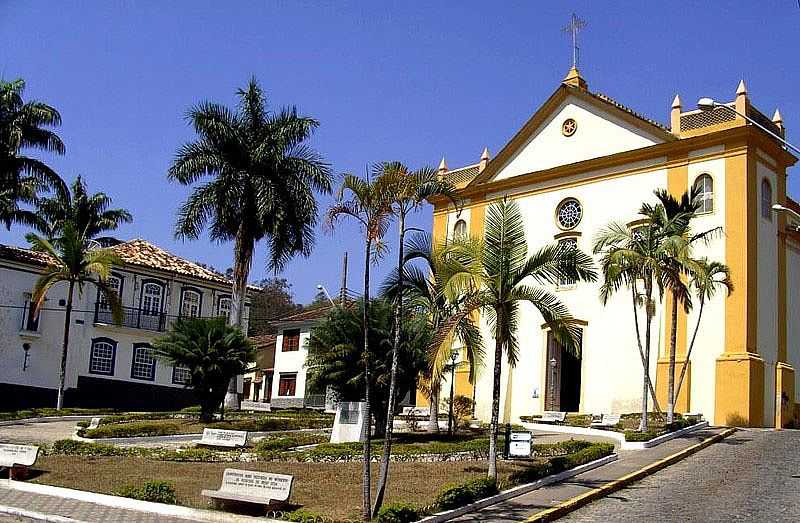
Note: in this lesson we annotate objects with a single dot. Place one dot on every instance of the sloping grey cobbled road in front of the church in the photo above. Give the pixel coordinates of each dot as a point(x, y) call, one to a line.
point(751, 476)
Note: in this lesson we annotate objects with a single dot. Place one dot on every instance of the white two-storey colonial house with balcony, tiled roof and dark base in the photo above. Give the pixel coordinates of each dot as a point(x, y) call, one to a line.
point(108, 365)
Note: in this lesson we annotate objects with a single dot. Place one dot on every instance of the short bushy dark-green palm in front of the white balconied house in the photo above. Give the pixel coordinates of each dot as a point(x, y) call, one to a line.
point(213, 351)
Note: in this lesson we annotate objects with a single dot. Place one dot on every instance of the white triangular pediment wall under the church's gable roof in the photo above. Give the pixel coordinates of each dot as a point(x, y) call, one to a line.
point(548, 147)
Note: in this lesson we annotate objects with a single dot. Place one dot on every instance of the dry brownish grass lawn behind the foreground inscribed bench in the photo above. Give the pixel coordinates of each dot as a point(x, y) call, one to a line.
point(333, 489)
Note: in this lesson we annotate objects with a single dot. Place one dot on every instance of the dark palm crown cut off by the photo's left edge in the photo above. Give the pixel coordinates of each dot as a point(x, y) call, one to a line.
point(24, 125)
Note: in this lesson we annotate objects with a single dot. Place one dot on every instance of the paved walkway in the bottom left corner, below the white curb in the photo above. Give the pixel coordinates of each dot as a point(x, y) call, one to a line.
point(74, 509)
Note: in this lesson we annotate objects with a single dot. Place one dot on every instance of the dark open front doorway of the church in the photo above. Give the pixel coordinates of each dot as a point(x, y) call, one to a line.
point(563, 377)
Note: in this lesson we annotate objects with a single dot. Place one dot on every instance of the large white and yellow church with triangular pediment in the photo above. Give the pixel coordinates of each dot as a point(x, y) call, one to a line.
point(584, 160)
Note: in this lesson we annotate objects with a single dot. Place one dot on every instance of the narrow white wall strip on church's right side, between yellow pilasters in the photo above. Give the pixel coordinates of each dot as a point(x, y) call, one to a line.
point(767, 293)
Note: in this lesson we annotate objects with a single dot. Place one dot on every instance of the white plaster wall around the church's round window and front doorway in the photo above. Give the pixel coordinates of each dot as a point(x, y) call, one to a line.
point(611, 366)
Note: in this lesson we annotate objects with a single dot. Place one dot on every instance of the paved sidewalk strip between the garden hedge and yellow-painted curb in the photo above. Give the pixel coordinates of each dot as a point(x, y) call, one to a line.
point(521, 507)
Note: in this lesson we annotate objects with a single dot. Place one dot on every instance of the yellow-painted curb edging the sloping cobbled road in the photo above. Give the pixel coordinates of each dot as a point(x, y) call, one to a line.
point(612, 486)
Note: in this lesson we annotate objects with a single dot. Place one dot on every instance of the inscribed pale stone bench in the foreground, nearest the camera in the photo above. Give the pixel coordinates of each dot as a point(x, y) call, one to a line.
point(252, 486)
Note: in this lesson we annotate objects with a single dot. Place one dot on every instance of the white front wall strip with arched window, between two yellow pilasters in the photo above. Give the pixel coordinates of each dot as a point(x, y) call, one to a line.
point(710, 341)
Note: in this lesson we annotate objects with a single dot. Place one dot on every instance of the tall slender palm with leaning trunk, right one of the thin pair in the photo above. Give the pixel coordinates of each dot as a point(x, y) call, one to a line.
point(409, 190)
